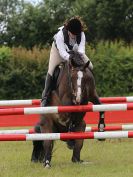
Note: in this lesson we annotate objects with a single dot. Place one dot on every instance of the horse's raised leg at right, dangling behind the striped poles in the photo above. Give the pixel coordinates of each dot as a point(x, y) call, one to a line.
point(101, 124)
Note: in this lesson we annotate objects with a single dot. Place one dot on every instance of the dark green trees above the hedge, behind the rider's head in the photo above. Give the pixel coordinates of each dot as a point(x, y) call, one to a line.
point(28, 25)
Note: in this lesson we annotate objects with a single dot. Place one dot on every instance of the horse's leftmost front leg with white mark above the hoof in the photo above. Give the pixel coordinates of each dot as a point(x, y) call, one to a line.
point(46, 127)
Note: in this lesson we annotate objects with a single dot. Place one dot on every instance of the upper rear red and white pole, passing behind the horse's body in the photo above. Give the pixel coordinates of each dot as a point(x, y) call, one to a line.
point(37, 101)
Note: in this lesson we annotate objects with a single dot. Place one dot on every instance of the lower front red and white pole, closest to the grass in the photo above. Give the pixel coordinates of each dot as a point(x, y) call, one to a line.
point(66, 136)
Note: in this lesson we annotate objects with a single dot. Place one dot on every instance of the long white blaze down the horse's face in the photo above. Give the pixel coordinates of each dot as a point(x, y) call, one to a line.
point(78, 95)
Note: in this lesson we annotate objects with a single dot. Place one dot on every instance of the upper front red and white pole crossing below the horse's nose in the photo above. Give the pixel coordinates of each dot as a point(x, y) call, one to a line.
point(61, 109)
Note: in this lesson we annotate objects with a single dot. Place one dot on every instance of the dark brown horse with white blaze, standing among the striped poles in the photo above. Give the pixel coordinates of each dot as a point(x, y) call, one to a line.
point(75, 86)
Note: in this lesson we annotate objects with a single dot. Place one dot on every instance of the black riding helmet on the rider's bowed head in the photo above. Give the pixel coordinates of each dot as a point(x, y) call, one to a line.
point(74, 26)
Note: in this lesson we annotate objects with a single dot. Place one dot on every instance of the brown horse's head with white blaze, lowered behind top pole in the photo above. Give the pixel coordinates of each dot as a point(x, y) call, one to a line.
point(79, 77)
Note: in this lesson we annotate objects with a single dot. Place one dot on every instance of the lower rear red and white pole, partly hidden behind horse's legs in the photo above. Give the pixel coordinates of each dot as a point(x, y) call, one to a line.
point(88, 129)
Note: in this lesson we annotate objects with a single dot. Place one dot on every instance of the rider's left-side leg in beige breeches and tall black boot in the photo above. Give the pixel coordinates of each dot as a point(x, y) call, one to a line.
point(54, 60)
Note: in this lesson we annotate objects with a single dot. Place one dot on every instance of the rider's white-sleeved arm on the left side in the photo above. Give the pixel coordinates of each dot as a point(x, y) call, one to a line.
point(59, 39)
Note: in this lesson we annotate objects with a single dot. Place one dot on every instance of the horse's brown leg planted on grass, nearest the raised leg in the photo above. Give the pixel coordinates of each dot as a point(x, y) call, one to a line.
point(78, 143)
